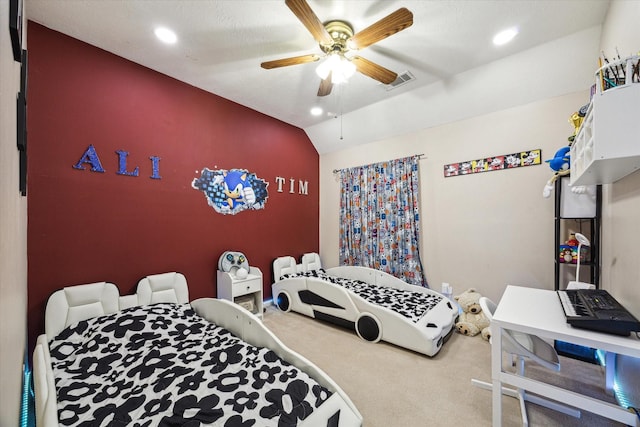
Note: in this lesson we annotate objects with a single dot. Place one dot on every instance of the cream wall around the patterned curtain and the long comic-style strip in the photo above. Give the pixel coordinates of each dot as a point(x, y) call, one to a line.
point(483, 230)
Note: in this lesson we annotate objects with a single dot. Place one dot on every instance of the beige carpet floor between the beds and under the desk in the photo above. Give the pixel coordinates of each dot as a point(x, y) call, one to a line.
point(394, 387)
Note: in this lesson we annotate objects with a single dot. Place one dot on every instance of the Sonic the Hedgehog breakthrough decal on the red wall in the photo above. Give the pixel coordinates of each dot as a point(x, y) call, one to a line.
point(232, 191)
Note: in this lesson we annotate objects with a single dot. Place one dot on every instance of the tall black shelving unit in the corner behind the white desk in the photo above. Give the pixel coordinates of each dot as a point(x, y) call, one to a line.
point(589, 226)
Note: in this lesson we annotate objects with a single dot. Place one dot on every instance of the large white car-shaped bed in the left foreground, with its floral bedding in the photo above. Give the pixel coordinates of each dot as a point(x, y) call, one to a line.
point(152, 359)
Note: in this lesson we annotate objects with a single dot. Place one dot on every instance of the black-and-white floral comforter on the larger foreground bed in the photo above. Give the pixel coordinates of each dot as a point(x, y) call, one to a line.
point(163, 365)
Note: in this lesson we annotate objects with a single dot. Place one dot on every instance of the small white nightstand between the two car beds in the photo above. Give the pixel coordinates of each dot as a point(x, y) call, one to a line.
point(245, 292)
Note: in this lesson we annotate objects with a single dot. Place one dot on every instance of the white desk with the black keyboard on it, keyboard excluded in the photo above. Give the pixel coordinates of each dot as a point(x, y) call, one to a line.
point(539, 312)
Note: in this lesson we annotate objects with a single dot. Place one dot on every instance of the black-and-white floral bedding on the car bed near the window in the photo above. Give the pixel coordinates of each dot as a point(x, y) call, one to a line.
point(411, 305)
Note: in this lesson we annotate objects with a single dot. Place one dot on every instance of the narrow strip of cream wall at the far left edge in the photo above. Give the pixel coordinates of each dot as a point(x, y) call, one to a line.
point(13, 237)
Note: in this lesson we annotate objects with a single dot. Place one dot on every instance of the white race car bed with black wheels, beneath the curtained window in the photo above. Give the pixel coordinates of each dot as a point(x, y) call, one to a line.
point(380, 307)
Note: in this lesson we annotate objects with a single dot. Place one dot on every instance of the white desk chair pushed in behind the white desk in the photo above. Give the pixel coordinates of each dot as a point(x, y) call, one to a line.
point(521, 346)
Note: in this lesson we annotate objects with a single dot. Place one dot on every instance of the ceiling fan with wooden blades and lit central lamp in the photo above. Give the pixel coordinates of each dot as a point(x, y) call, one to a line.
point(336, 39)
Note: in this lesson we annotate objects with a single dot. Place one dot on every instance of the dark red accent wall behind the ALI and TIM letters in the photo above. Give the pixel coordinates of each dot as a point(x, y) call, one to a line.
point(86, 226)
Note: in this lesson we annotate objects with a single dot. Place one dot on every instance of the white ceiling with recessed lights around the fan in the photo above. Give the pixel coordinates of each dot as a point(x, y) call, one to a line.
point(222, 43)
